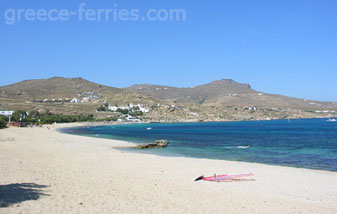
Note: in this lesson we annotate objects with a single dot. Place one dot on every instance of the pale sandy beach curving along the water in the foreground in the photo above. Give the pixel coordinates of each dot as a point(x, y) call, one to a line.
point(45, 171)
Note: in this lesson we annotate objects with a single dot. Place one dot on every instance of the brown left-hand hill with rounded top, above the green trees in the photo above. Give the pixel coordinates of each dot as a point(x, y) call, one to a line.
point(31, 94)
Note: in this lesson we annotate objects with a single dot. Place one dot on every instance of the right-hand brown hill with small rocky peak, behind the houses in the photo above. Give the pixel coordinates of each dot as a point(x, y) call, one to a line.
point(225, 92)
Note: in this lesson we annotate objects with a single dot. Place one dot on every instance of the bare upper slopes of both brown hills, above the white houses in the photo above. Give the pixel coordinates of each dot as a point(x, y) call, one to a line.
point(217, 92)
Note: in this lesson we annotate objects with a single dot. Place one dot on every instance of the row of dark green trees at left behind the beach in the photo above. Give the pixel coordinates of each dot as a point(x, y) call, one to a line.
point(48, 118)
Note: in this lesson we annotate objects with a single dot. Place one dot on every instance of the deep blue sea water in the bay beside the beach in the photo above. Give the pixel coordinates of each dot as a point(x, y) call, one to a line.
point(307, 143)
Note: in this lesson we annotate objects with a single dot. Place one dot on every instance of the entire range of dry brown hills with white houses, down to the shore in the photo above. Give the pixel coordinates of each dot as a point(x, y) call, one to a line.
point(215, 101)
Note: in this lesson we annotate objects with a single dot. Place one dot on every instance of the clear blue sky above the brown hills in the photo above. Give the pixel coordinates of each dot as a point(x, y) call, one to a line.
point(286, 47)
